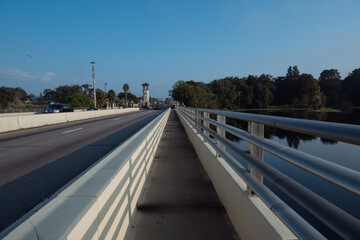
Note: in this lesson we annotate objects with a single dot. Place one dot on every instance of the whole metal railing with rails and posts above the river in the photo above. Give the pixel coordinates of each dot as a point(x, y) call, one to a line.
point(335, 218)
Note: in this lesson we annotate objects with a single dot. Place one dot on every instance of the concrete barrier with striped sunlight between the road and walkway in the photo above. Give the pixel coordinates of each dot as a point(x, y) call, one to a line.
point(101, 203)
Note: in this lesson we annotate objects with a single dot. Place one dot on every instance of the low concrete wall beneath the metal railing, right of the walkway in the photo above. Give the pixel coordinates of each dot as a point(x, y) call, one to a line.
point(250, 216)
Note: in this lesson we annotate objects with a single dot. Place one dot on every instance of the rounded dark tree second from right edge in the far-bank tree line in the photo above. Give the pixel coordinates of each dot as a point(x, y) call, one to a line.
point(330, 84)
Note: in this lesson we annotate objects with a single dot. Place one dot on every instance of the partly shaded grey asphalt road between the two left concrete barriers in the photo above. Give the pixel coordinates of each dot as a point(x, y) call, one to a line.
point(36, 163)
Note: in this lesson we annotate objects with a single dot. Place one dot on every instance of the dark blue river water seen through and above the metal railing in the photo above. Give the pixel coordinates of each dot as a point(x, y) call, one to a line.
point(338, 152)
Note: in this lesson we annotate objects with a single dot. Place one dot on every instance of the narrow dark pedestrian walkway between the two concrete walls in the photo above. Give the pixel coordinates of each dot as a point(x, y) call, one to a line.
point(179, 200)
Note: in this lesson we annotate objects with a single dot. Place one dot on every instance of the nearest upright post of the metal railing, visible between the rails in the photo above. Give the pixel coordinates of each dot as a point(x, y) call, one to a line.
point(256, 152)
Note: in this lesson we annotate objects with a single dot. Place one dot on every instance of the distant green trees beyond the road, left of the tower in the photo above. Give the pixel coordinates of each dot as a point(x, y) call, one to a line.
point(73, 95)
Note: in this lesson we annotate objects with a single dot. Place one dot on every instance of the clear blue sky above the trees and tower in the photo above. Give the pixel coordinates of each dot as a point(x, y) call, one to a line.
point(44, 44)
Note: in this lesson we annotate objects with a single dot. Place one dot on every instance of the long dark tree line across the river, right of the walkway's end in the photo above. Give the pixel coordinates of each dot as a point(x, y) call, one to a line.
point(295, 89)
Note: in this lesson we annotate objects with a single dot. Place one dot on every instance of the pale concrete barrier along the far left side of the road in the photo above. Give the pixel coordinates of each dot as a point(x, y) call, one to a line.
point(11, 123)
